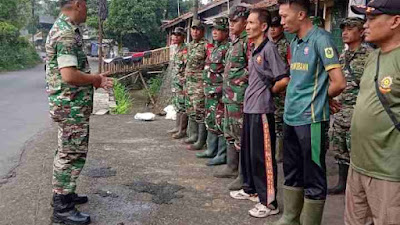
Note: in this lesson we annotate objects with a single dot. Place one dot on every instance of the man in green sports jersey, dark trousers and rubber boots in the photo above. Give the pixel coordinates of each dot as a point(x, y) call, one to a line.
point(316, 77)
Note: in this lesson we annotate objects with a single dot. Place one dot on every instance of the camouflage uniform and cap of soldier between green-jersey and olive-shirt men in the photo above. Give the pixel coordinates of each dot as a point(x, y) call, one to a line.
point(353, 67)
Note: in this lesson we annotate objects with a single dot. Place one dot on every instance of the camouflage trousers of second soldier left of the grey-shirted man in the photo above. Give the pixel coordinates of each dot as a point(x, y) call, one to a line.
point(214, 123)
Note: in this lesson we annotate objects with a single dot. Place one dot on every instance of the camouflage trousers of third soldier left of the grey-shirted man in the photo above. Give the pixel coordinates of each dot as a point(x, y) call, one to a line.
point(195, 104)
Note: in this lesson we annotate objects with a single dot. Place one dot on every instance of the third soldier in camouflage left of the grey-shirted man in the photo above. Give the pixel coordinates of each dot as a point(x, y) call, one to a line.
point(198, 49)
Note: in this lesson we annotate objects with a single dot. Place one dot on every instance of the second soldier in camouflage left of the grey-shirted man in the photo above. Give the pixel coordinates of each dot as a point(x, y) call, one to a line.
point(213, 79)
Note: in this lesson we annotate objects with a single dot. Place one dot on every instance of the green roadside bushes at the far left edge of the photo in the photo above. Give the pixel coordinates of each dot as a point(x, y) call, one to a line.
point(17, 54)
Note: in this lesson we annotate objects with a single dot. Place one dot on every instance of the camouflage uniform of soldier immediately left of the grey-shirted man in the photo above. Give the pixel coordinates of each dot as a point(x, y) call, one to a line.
point(234, 86)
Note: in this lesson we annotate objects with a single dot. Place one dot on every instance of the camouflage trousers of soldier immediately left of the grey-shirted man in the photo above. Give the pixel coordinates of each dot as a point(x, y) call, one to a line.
point(233, 123)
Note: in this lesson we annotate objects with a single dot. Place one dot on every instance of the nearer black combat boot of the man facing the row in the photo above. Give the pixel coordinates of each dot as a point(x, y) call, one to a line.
point(64, 211)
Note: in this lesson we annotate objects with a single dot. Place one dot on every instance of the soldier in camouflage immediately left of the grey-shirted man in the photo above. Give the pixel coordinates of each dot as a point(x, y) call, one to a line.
point(234, 86)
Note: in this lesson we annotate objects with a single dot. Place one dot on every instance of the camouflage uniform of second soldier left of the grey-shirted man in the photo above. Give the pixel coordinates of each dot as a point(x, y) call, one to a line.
point(213, 79)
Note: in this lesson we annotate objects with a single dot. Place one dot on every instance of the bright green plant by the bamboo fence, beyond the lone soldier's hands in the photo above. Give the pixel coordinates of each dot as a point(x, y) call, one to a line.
point(122, 98)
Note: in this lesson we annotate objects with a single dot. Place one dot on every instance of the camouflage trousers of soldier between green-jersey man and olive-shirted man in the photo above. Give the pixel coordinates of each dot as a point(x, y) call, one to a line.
point(340, 143)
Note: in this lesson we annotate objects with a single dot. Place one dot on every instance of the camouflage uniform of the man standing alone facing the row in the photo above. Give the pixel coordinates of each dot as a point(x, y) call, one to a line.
point(70, 106)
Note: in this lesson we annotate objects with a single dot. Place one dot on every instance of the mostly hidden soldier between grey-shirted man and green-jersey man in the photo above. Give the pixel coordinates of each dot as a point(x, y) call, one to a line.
point(283, 45)
